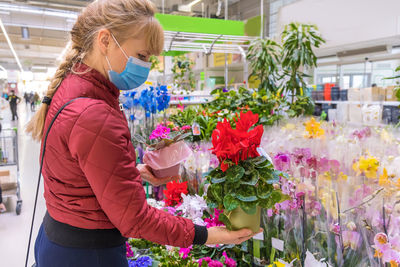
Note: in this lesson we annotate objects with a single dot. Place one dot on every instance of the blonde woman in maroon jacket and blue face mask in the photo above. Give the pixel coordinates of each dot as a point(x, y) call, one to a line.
point(93, 190)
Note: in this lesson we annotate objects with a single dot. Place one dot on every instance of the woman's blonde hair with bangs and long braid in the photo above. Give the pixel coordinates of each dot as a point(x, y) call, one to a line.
point(119, 16)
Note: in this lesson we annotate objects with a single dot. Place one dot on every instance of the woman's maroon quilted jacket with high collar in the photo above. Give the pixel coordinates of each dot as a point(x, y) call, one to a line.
point(89, 171)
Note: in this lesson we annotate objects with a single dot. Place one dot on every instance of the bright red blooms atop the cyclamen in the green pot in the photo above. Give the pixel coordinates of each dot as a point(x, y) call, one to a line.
point(237, 144)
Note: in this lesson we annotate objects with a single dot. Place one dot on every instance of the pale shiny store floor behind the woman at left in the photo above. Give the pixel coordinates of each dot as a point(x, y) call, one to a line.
point(14, 230)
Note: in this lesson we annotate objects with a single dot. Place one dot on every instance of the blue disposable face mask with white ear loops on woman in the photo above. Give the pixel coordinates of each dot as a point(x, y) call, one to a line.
point(134, 75)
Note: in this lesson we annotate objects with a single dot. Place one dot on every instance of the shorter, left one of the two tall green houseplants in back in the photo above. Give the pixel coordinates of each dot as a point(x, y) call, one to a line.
point(264, 55)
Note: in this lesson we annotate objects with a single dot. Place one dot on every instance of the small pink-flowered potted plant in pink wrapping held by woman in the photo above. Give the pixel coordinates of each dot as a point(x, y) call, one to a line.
point(165, 150)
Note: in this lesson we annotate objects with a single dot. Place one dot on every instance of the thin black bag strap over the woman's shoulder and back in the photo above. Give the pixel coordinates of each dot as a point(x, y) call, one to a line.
point(40, 174)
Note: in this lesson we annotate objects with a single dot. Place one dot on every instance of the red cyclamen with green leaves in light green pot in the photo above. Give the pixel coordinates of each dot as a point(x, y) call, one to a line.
point(244, 182)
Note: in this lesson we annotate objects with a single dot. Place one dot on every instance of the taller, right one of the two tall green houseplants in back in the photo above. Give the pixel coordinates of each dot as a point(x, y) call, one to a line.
point(298, 42)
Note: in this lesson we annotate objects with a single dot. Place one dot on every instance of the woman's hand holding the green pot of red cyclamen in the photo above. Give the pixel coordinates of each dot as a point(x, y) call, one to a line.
point(221, 235)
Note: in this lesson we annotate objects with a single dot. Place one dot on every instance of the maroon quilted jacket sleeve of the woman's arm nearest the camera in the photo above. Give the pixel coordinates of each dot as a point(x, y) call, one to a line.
point(100, 142)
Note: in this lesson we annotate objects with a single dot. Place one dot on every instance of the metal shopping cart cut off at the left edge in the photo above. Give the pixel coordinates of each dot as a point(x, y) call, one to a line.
point(9, 166)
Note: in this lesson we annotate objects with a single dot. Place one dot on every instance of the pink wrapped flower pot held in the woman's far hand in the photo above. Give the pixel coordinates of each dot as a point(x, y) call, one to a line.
point(166, 162)
